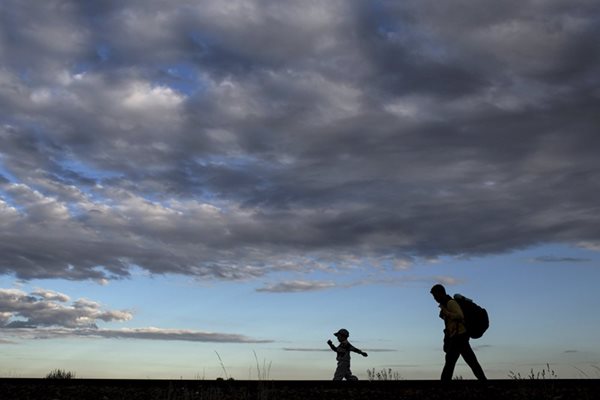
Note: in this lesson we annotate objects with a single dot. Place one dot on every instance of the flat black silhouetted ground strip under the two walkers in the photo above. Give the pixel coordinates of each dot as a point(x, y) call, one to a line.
point(100, 389)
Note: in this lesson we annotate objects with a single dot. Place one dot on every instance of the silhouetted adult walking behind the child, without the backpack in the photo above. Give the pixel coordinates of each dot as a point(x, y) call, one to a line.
point(456, 338)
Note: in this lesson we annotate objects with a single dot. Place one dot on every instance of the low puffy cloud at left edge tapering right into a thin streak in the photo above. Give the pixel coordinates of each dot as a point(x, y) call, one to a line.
point(43, 315)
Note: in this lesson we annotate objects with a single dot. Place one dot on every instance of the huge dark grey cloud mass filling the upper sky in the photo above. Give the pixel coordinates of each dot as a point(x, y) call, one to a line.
point(229, 140)
